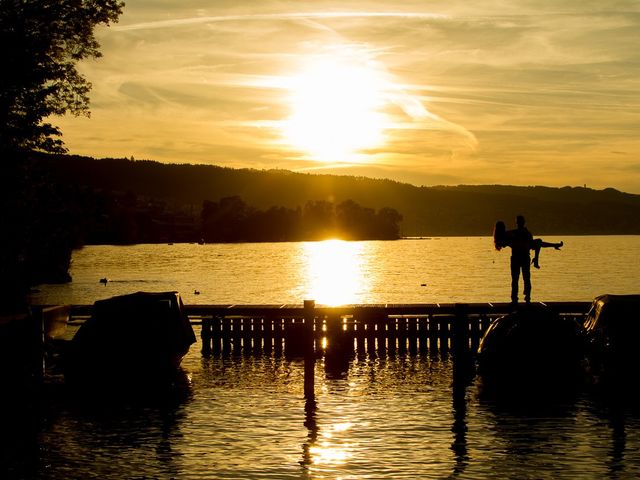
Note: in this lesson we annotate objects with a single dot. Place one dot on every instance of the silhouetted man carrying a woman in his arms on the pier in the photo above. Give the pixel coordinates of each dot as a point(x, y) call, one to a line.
point(521, 243)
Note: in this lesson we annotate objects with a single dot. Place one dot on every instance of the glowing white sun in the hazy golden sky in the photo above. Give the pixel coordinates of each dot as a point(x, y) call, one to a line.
point(336, 109)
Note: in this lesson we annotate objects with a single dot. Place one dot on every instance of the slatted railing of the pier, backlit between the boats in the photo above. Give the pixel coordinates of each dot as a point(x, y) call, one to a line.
point(384, 327)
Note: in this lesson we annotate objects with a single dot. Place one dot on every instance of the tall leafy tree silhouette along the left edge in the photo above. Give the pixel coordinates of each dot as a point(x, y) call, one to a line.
point(42, 41)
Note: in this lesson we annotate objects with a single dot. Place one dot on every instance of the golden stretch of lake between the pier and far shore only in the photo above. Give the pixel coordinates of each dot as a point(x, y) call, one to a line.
point(437, 270)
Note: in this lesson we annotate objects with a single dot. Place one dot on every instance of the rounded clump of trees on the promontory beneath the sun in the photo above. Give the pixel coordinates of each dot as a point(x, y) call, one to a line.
point(232, 220)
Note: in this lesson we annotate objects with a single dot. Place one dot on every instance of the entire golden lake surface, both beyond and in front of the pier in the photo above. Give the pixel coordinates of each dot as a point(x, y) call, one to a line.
point(392, 416)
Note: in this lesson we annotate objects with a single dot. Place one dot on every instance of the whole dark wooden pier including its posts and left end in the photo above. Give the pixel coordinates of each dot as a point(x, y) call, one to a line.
point(306, 331)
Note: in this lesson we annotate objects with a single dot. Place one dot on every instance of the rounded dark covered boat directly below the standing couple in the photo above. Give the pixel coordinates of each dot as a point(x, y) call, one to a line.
point(531, 346)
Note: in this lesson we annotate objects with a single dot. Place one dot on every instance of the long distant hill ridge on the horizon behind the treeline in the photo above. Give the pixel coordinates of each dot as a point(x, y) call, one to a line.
point(427, 211)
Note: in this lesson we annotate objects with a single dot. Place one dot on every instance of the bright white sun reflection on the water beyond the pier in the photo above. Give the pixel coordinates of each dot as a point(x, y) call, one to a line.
point(335, 271)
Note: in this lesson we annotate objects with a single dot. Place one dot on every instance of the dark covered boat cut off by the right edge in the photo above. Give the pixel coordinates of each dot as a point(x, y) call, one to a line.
point(613, 327)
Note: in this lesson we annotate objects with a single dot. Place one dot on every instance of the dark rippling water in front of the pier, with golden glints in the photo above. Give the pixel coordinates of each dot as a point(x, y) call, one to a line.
point(384, 417)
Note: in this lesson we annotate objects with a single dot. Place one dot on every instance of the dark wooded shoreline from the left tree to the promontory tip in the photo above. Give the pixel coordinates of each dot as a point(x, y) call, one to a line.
point(125, 218)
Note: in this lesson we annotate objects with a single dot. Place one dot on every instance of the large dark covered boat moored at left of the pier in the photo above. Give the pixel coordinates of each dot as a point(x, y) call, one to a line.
point(133, 339)
